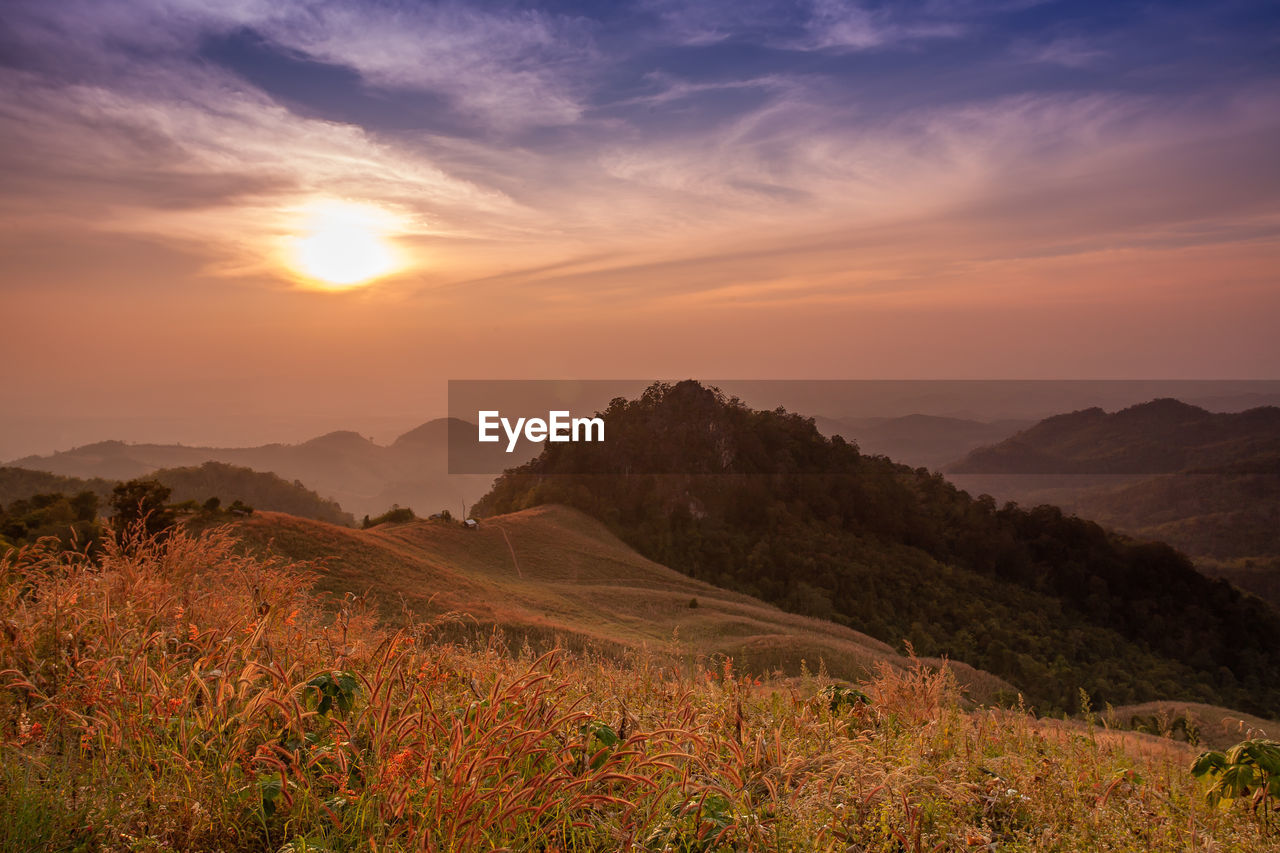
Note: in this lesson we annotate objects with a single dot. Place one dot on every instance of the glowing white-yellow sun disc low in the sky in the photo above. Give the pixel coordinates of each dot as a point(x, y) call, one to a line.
point(342, 244)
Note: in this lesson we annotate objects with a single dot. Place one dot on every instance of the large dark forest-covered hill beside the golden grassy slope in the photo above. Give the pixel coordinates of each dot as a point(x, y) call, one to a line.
point(761, 503)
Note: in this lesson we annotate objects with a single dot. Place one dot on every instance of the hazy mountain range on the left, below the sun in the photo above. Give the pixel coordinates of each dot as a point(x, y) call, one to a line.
point(345, 467)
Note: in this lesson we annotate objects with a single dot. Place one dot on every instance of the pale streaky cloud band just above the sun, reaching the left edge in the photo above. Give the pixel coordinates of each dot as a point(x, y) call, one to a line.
point(198, 158)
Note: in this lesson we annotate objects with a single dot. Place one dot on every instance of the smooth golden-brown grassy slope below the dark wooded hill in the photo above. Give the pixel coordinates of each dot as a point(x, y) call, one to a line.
point(556, 573)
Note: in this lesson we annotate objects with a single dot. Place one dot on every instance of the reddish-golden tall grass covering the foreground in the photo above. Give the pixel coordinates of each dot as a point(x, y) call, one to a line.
point(180, 696)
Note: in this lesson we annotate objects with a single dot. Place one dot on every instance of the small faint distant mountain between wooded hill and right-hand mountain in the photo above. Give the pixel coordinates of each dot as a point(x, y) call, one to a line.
point(920, 441)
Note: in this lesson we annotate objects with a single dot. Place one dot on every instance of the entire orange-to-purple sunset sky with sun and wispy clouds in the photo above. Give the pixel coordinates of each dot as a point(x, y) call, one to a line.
point(812, 189)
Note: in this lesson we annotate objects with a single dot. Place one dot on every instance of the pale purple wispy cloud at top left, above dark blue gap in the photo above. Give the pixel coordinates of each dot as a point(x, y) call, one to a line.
point(511, 69)
